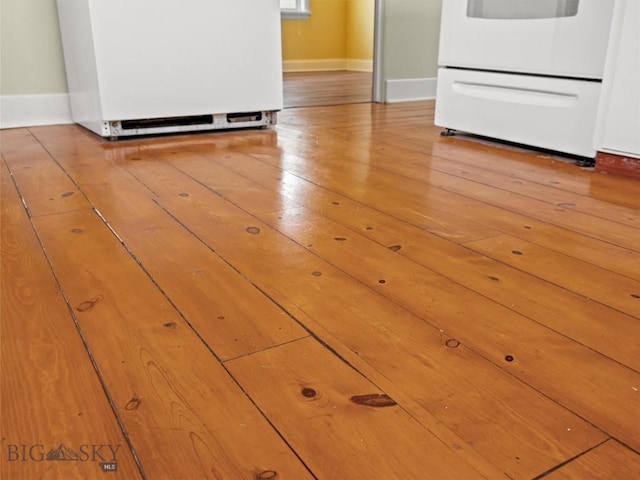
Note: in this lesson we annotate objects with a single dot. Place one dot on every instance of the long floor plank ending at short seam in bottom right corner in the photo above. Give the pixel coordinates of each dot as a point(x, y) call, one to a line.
point(358, 316)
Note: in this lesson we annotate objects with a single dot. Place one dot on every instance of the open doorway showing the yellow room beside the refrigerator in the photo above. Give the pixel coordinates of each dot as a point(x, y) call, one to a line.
point(331, 58)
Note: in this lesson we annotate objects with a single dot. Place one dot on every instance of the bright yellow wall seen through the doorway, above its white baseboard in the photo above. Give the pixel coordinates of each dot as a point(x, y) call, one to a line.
point(336, 30)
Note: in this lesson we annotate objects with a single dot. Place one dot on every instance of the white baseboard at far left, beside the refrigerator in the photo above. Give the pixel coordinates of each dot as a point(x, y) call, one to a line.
point(32, 110)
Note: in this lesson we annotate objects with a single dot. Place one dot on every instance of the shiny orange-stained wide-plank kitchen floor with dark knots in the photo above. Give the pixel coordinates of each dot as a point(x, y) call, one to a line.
point(348, 295)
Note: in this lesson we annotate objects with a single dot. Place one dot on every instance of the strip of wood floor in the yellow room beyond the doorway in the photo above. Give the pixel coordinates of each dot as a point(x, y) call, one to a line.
point(306, 89)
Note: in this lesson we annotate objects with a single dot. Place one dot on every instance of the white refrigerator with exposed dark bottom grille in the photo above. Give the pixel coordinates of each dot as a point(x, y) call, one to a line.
point(137, 67)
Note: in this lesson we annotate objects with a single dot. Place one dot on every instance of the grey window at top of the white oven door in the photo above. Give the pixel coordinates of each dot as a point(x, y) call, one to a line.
point(522, 9)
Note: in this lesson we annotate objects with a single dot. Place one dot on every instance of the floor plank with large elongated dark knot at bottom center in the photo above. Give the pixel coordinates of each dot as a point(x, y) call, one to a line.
point(344, 425)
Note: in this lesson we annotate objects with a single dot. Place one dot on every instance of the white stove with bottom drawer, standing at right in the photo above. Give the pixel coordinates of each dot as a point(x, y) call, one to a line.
point(524, 71)
